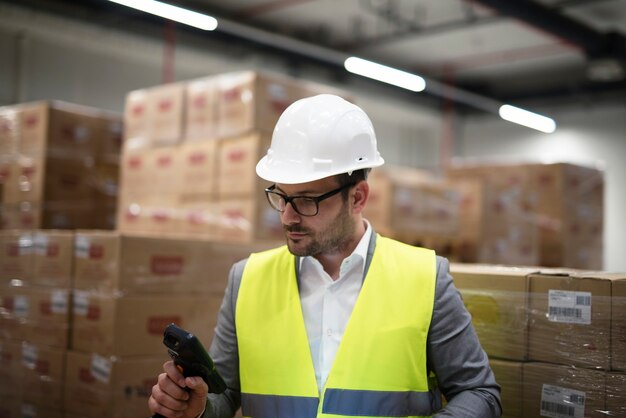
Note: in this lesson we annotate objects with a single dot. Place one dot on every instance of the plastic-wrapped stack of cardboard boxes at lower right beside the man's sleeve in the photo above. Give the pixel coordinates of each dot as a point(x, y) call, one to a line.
point(554, 337)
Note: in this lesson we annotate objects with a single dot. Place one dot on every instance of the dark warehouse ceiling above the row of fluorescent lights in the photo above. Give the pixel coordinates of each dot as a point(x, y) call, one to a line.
point(508, 50)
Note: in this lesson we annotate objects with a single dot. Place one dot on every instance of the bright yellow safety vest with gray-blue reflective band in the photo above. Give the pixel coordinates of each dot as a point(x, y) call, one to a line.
point(380, 366)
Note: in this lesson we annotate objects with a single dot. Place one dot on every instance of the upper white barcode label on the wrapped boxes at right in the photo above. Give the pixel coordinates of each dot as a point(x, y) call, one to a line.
point(569, 307)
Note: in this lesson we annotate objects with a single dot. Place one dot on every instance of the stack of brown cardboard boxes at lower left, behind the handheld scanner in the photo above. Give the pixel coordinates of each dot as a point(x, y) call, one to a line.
point(83, 314)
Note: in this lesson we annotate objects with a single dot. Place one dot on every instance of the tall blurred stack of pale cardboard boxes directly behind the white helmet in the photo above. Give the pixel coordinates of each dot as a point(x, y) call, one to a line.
point(188, 166)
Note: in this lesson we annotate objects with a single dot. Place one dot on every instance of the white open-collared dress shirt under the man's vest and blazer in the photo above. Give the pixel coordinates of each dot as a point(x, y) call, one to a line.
point(327, 304)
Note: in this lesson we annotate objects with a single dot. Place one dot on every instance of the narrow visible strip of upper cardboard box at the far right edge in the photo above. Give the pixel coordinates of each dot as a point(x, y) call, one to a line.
point(618, 323)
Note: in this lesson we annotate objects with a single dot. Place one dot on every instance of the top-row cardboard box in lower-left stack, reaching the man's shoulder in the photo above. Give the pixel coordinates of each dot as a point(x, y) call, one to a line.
point(107, 260)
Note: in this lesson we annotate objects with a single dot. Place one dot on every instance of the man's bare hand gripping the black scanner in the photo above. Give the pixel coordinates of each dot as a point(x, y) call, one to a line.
point(175, 396)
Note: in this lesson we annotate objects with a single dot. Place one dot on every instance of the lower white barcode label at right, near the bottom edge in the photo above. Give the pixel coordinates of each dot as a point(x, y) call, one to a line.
point(558, 402)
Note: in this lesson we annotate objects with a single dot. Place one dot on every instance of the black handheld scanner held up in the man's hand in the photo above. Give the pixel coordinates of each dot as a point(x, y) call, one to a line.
point(191, 358)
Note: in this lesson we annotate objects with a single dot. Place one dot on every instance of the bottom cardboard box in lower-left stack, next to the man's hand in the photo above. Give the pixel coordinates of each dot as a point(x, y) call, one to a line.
point(109, 387)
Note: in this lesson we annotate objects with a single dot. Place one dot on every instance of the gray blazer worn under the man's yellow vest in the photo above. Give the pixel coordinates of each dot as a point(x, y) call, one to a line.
point(454, 353)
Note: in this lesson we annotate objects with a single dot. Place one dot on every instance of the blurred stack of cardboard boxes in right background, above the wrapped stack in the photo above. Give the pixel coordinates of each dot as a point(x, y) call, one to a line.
point(530, 214)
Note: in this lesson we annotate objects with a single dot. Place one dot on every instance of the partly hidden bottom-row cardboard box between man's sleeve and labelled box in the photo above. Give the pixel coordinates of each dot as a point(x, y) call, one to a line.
point(509, 377)
